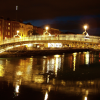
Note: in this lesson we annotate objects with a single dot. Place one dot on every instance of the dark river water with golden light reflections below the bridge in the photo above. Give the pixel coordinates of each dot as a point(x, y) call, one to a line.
point(74, 76)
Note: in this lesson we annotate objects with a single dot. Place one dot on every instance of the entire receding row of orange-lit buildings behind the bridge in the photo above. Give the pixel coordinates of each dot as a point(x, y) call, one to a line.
point(11, 28)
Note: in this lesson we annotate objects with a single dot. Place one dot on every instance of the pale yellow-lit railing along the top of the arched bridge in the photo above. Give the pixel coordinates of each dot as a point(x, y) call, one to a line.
point(71, 37)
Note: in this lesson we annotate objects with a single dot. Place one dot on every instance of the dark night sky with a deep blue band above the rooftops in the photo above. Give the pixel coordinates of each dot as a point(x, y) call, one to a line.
point(66, 15)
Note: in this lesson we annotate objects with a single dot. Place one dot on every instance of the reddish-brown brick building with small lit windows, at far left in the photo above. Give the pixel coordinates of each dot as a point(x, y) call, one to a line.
point(8, 28)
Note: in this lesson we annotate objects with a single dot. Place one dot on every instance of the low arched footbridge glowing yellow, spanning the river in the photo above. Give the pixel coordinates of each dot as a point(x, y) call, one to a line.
point(69, 40)
